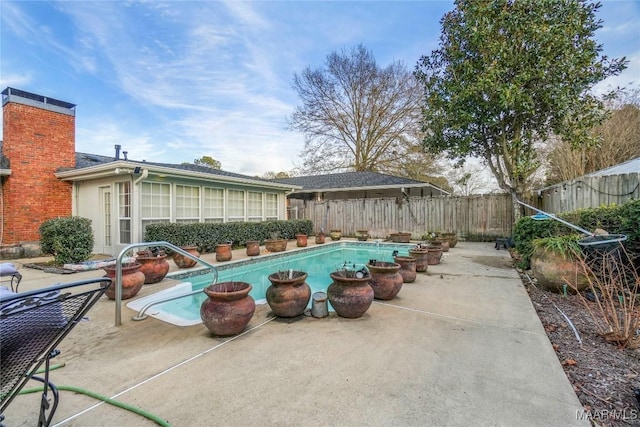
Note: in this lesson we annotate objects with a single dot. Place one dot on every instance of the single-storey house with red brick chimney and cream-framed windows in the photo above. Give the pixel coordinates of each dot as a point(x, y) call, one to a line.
point(44, 177)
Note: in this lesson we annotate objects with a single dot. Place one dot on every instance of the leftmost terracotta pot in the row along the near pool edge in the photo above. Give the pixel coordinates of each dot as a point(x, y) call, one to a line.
point(229, 308)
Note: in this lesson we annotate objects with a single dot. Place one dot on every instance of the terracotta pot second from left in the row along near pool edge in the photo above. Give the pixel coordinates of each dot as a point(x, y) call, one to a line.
point(289, 294)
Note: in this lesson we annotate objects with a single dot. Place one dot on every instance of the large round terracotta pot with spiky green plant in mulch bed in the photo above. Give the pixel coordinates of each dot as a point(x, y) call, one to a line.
point(551, 269)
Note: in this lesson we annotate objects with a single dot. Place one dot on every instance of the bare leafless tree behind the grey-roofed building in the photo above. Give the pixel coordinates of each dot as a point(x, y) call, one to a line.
point(356, 115)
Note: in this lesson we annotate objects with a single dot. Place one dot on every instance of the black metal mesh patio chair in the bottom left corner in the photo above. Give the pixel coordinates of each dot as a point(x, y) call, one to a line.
point(32, 325)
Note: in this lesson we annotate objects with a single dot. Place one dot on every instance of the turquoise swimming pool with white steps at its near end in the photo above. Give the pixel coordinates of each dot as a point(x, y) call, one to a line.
point(317, 262)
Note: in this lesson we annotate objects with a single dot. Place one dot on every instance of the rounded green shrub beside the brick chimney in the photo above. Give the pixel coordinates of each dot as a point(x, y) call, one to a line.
point(68, 239)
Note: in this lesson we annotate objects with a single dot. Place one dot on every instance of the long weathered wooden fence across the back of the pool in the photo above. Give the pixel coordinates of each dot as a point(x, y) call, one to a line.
point(477, 217)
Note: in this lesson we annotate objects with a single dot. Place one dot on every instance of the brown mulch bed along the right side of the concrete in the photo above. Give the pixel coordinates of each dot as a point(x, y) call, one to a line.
point(603, 376)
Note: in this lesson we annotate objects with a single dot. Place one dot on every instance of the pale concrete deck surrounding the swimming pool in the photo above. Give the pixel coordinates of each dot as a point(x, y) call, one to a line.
point(462, 345)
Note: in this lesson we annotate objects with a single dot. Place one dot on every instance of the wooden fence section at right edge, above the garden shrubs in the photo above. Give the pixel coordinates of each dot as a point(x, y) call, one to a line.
point(590, 192)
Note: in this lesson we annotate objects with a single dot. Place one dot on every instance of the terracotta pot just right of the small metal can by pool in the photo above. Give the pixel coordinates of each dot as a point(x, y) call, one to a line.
point(350, 297)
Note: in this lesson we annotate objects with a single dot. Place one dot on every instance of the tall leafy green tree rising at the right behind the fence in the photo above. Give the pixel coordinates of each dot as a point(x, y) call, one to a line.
point(508, 74)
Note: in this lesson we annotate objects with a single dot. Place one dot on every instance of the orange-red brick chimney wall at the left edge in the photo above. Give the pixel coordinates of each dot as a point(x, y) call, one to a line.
point(37, 142)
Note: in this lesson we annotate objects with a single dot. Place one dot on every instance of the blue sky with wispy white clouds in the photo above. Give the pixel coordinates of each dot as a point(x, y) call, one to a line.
point(173, 81)
